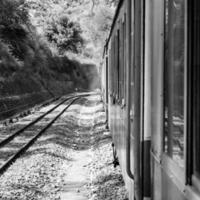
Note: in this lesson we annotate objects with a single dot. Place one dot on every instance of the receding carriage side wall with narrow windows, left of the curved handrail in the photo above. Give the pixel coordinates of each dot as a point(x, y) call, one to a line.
point(117, 88)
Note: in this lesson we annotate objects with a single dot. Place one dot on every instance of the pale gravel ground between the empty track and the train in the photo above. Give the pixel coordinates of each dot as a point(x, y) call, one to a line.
point(71, 160)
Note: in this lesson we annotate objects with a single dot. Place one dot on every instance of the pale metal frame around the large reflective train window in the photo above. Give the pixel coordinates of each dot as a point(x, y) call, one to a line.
point(168, 163)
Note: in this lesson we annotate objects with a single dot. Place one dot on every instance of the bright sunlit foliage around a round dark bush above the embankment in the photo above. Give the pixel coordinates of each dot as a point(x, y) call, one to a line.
point(90, 20)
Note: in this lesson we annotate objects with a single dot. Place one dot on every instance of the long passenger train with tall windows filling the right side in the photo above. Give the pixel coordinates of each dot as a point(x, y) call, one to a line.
point(152, 73)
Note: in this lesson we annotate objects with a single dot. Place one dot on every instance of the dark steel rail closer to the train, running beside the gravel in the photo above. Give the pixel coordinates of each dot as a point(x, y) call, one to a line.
point(33, 139)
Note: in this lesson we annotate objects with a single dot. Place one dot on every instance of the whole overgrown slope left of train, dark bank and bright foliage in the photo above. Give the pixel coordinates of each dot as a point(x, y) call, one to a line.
point(38, 40)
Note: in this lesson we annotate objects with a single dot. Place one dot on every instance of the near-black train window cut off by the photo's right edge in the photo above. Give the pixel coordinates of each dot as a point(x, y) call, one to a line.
point(195, 86)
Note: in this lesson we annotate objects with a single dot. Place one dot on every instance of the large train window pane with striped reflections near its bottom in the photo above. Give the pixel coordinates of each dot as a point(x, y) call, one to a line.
point(174, 80)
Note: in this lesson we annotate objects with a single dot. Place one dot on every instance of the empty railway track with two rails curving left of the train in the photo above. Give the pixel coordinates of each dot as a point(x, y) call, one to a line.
point(18, 142)
